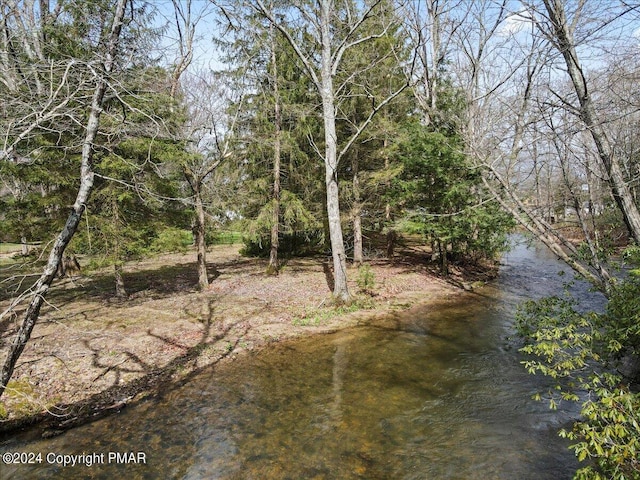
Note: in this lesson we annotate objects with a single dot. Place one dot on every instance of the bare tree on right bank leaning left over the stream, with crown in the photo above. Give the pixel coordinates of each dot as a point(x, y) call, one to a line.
point(504, 67)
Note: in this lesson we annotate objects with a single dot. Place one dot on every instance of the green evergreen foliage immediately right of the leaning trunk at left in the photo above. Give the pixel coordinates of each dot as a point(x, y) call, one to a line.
point(127, 216)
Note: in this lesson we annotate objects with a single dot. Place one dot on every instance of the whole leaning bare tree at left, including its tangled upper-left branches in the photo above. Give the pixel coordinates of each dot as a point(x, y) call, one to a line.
point(46, 91)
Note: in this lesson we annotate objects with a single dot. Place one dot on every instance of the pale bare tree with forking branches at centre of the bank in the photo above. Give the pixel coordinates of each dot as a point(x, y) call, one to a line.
point(321, 34)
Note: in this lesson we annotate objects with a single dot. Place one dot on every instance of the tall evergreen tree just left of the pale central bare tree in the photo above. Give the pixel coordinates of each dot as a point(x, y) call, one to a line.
point(283, 198)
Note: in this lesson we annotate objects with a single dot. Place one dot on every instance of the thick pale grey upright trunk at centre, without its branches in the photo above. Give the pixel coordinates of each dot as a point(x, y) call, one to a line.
point(341, 290)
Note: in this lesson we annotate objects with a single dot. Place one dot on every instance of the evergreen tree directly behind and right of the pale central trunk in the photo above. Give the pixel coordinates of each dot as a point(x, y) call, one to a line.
point(367, 170)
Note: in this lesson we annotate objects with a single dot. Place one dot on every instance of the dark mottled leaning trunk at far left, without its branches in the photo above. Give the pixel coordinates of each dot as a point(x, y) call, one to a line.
point(41, 288)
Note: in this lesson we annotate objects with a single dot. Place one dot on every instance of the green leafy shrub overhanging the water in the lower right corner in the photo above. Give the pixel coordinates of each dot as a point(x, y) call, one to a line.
point(585, 352)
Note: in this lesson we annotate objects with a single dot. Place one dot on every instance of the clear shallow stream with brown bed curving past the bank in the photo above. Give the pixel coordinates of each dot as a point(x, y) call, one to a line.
point(434, 393)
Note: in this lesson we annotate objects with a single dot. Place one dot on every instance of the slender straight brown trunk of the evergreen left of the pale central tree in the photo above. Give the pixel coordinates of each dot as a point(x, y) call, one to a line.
point(274, 265)
